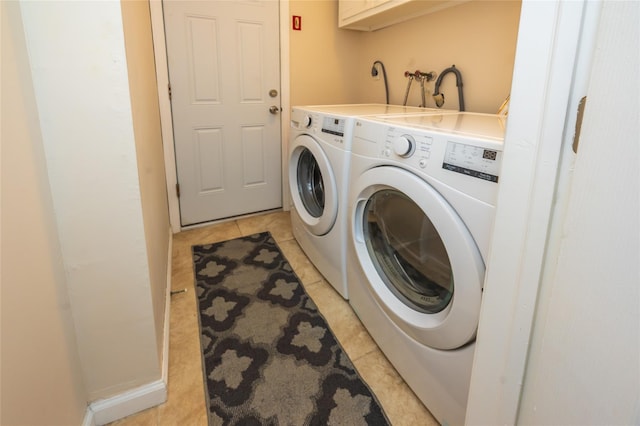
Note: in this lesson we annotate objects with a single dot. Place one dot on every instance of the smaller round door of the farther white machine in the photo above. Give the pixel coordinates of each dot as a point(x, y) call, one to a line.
point(313, 185)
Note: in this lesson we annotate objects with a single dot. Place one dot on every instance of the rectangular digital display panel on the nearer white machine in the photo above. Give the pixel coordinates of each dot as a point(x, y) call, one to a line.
point(472, 161)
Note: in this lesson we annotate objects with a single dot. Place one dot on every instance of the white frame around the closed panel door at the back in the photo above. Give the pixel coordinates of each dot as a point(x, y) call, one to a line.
point(162, 78)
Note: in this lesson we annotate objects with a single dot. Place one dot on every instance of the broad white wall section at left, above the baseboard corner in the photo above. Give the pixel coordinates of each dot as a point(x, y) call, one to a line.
point(82, 91)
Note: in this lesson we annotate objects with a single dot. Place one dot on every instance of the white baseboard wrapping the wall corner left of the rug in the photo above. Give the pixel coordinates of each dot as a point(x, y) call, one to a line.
point(155, 393)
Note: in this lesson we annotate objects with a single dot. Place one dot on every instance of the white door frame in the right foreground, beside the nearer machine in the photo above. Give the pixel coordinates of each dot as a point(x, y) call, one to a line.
point(551, 71)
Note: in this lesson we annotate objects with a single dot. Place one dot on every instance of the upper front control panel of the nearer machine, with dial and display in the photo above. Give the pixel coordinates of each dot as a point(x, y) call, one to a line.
point(467, 166)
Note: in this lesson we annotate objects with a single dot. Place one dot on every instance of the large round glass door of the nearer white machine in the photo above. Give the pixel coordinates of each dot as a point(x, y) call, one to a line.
point(419, 260)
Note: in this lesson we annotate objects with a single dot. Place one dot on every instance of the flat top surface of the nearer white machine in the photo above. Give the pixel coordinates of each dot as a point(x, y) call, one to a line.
point(485, 126)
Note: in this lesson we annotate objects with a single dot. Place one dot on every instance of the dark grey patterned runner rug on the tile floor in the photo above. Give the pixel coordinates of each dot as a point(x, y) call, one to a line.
point(269, 356)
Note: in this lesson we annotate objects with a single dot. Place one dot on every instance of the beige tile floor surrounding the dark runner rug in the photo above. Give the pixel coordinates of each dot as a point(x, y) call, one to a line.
point(185, 405)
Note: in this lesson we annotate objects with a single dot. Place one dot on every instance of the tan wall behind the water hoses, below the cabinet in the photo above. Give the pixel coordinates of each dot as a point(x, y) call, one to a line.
point(479, 37)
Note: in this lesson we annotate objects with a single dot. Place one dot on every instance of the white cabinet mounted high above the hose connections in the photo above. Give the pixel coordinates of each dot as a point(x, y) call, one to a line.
point(371, 15)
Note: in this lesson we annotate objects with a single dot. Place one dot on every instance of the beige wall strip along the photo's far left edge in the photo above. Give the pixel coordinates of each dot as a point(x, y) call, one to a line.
point(41, 375)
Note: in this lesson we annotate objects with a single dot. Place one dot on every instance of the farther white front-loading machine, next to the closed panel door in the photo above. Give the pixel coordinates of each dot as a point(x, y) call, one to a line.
point(319, 154)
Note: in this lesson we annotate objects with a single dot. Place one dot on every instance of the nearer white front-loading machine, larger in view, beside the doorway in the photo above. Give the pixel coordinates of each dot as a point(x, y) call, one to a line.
point(421, 208)
